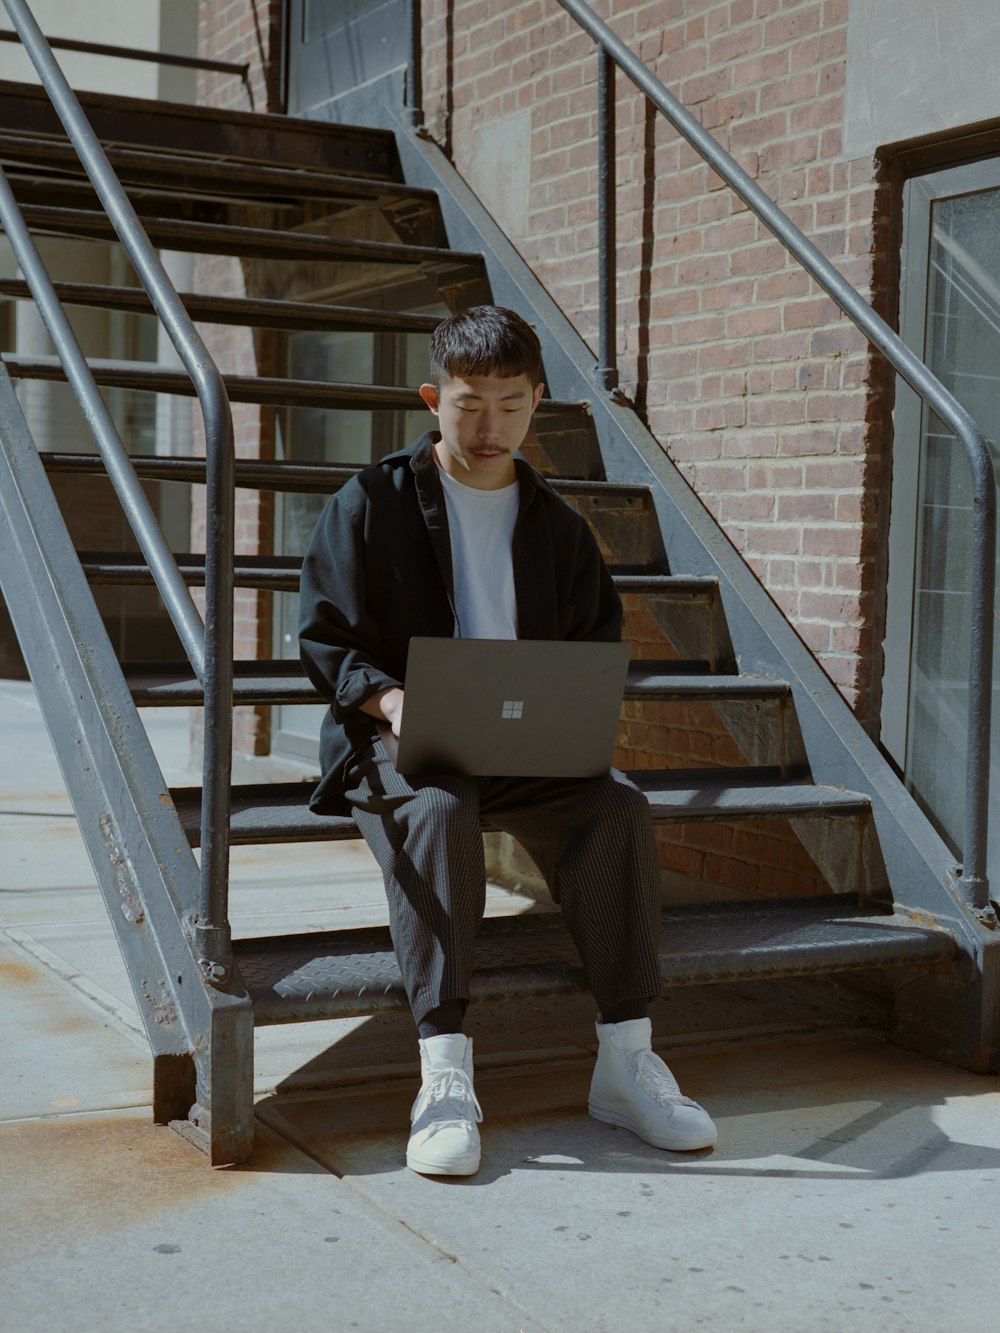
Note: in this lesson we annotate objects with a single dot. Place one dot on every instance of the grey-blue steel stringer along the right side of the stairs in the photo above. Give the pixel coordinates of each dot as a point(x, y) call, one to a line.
point(921, 872)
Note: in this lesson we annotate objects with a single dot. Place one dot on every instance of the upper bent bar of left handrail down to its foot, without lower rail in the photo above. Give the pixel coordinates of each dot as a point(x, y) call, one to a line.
point(210, 922)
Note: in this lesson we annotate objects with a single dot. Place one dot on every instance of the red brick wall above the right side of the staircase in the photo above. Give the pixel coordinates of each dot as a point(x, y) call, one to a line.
point(758, 389)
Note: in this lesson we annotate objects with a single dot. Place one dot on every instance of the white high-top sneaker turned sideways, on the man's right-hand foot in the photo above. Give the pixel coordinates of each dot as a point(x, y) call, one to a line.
point(634, 1088)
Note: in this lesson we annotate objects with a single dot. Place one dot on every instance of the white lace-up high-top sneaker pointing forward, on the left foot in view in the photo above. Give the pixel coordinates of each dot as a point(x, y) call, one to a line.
point(445, 1140)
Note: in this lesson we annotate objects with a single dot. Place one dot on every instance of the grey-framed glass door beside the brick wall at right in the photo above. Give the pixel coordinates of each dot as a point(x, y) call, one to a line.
point(951, 315)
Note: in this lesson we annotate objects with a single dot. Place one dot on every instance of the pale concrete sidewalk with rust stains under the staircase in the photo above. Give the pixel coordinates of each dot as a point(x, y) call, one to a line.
point(855, 1187)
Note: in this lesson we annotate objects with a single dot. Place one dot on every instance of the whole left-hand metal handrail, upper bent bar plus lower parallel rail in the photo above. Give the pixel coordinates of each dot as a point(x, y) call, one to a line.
point(210, 646)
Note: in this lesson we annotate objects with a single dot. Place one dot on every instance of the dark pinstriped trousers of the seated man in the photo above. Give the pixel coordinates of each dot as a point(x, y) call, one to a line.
point(593, 840)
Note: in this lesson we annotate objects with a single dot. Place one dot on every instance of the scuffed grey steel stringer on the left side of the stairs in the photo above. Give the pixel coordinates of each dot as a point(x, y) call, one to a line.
point(141, 856)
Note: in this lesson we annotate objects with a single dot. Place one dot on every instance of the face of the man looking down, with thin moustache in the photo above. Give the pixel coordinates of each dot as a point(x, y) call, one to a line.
point(483, 421)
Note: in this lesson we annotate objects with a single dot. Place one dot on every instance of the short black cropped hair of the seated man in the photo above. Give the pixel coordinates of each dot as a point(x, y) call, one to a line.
point(485, 341)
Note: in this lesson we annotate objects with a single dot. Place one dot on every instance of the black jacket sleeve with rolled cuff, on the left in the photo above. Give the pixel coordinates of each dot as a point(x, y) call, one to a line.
point(339, 641)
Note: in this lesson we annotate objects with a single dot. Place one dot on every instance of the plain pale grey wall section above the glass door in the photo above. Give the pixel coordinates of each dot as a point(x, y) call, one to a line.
point(917, 67)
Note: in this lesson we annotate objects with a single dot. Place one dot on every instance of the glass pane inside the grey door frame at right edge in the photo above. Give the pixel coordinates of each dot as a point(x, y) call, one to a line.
point(963, 349)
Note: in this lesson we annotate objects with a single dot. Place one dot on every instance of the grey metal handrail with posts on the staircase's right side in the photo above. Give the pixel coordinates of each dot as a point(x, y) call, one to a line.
point(613, 53)
